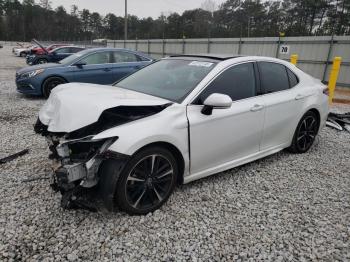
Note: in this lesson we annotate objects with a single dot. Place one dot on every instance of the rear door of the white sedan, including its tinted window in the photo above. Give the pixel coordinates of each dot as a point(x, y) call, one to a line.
point(282, 104)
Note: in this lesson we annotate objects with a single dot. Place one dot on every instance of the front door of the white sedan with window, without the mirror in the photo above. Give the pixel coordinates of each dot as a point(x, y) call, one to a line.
point(227, 134)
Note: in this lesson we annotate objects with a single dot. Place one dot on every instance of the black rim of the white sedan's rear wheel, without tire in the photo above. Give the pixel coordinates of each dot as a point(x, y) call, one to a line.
point(307, 132)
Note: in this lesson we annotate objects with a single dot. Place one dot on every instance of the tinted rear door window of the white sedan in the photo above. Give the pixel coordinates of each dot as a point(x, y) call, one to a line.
point(273, 77)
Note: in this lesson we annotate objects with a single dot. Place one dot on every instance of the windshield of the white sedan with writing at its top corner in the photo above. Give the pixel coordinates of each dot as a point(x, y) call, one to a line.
point(172, 79)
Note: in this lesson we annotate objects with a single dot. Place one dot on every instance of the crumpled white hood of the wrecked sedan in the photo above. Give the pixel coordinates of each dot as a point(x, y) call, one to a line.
point(74, 106)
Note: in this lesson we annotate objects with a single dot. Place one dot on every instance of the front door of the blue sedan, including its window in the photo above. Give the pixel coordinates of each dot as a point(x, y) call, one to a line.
point(94, 68)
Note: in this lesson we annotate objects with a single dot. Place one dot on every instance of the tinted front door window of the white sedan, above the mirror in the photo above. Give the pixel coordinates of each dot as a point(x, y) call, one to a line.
point(238, 82)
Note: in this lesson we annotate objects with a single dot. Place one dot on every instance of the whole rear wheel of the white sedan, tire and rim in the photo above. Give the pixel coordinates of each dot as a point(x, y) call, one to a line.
point(305, 133)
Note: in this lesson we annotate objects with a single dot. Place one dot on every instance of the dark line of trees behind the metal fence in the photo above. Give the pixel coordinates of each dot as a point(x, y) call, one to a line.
point(22, 21)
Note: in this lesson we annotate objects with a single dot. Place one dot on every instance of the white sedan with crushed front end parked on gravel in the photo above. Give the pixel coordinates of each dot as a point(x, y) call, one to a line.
point(177, 120)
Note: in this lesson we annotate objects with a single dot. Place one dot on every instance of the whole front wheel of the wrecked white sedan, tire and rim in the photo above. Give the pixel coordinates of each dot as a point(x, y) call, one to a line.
point(146, 181)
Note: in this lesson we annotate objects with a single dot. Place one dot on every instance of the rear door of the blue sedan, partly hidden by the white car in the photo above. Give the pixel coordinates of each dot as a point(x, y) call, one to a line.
point(125, 63)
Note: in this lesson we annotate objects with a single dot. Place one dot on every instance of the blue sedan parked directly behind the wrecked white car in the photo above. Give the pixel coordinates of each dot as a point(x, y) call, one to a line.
point(98, 66)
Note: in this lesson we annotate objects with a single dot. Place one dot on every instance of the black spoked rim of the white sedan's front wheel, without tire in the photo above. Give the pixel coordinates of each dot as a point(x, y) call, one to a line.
point(149, 182)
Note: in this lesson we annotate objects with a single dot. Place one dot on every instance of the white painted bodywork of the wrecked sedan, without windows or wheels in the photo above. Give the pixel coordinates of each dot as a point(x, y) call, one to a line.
point(250, 129)
